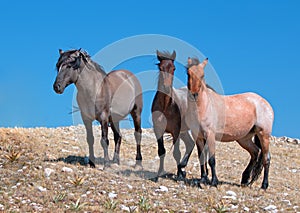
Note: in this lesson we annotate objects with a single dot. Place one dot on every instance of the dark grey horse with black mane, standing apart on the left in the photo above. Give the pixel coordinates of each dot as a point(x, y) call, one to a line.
point(107, 98)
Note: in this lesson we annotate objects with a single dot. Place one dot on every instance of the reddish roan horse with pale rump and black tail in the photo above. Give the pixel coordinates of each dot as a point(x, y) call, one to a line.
point(246, 118)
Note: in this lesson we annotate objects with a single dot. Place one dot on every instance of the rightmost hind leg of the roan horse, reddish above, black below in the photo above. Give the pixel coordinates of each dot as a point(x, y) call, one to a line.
point(266, 156)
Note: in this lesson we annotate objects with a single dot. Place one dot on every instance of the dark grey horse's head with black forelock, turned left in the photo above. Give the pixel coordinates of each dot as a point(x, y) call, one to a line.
point(69, 66)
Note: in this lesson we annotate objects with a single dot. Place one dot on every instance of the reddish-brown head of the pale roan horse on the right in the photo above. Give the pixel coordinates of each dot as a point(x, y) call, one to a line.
point(195, 72)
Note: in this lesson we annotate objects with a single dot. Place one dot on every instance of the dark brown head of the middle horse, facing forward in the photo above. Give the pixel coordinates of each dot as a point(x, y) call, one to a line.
point(166, 67)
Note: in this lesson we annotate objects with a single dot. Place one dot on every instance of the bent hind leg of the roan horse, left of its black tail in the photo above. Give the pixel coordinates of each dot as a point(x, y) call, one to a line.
point(253, 150)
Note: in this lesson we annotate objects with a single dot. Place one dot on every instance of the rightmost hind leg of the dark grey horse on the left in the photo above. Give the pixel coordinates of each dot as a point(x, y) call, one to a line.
point(136, 116)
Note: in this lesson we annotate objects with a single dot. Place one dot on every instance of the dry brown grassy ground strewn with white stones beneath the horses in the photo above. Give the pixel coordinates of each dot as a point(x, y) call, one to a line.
point(42, 169)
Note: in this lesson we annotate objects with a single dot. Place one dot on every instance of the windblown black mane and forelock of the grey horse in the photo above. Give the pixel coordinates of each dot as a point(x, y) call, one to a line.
point(85, 56)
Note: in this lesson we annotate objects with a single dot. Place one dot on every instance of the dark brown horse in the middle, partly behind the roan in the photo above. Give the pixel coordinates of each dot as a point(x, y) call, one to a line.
point(169, 107)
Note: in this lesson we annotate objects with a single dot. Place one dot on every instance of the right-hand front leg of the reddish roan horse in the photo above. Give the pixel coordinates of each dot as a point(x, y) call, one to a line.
point(212, 161)
